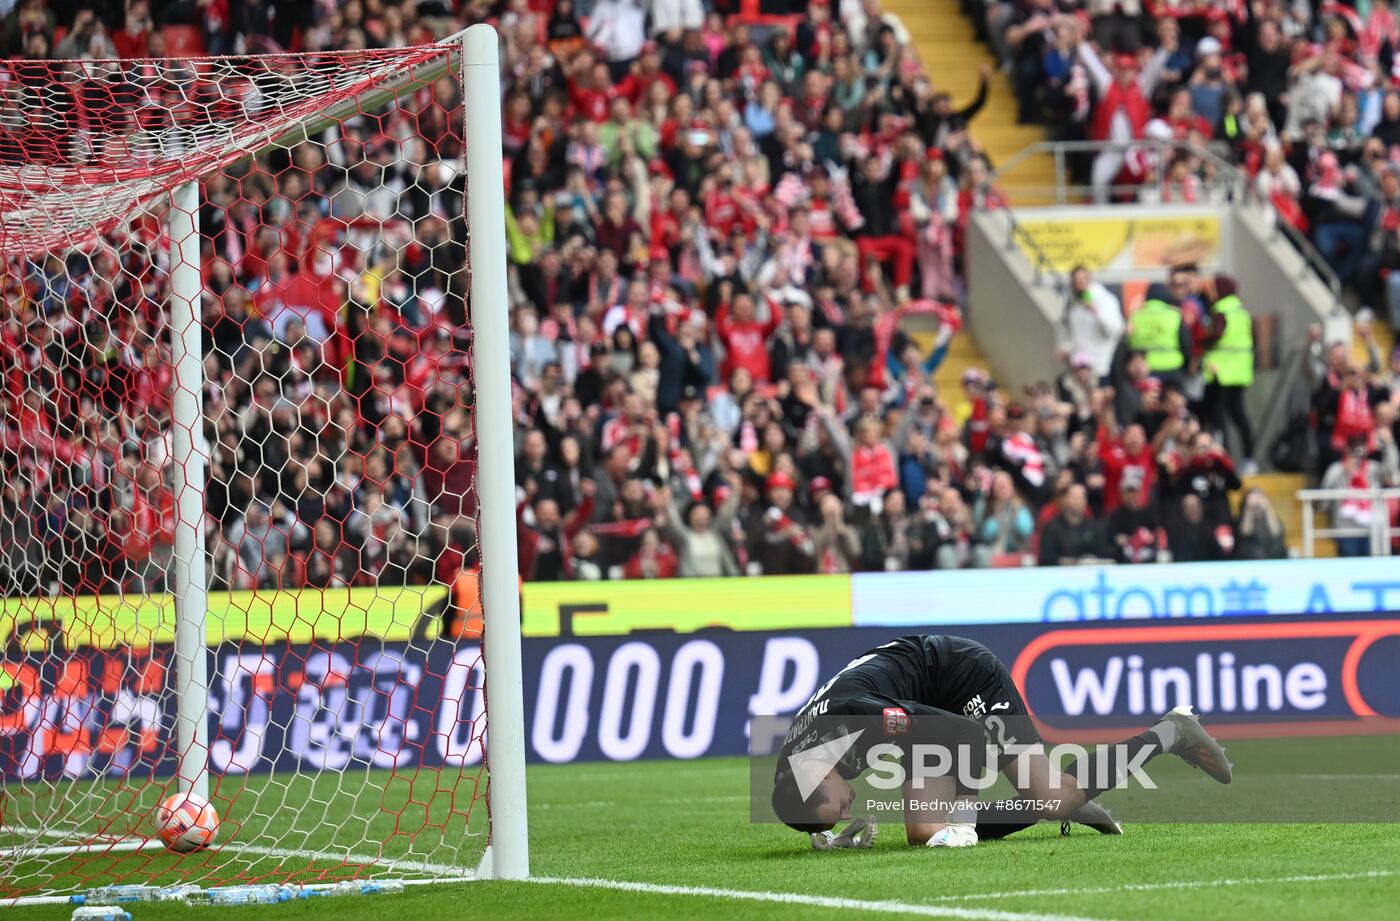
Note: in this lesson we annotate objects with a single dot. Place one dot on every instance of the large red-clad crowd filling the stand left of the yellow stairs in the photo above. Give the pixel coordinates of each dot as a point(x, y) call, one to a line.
point(719, 232)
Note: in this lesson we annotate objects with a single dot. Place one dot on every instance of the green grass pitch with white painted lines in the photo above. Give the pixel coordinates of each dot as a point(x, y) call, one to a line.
point(677, 827)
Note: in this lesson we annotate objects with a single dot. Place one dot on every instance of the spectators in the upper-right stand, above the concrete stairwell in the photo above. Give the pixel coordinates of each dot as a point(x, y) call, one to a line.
point(1301, 97)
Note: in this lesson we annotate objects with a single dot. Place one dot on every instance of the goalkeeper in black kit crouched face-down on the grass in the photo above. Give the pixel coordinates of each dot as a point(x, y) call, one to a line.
point(961, 691)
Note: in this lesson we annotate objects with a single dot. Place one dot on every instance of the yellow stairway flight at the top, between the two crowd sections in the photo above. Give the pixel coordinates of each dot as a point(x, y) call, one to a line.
point(953, 55)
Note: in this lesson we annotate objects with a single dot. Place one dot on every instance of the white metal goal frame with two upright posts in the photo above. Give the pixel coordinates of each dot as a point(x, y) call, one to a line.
point(507, 852)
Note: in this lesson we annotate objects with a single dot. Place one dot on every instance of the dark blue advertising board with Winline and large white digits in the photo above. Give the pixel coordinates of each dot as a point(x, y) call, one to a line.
point(80, 710)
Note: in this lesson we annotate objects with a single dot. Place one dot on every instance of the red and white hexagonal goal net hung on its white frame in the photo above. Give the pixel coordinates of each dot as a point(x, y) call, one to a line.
point(254, 449)
